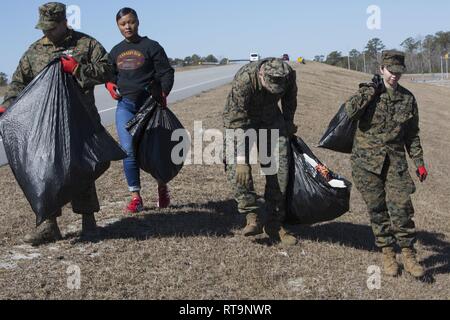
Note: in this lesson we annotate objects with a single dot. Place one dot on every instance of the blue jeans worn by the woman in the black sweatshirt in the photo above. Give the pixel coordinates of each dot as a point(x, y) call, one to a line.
point(126, 110)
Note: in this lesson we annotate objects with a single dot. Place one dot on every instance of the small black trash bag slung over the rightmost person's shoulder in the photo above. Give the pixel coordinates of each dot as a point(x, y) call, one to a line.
point(340, 133)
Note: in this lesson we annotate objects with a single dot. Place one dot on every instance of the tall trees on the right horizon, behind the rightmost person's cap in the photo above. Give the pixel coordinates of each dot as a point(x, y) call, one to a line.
point(423, 54)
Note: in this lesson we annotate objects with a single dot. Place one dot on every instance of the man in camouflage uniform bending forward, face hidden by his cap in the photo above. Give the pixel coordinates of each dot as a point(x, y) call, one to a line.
point(253, 104)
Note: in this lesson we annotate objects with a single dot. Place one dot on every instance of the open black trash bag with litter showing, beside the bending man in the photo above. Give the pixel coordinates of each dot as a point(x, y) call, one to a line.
point(310, 197)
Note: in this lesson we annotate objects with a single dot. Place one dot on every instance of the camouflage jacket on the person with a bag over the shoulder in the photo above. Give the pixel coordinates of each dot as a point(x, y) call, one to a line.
point(387, 126)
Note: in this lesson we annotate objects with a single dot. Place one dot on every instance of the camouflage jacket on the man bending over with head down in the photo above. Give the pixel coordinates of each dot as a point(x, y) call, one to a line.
point(249, 105)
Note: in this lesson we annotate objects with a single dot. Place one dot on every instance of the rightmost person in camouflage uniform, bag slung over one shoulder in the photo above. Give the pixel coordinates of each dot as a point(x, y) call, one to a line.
point(388, 124)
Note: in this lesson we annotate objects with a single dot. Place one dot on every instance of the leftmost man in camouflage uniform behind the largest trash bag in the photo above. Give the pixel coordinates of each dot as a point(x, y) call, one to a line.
point(87, 60)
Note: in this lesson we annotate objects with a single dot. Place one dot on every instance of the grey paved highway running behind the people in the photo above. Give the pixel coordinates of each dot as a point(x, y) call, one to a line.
point(187, 84)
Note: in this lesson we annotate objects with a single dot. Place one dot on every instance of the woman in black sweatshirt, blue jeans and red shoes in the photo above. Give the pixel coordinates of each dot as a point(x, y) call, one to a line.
point(141, 69)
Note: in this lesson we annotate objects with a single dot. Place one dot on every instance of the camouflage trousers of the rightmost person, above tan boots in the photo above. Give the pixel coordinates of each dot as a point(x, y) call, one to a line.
point(388, 198)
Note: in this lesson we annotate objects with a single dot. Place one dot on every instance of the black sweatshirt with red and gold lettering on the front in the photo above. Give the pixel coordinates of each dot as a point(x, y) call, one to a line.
point(137, 65)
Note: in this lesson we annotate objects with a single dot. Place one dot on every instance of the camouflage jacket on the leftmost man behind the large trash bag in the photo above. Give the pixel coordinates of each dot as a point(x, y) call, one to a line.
point(93, 69)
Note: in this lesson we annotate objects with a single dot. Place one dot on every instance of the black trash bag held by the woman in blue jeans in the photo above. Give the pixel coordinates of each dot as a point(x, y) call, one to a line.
point(152, 130)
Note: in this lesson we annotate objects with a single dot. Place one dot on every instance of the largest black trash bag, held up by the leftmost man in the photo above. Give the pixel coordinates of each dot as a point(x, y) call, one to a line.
point(54, 146)
